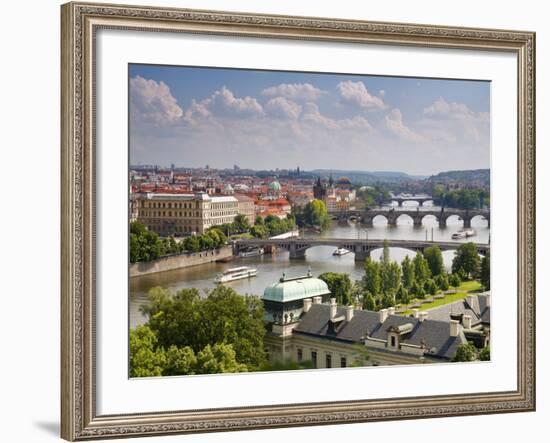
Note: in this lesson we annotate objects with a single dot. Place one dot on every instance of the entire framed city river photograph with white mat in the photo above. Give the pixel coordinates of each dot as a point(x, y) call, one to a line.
point(277, 221)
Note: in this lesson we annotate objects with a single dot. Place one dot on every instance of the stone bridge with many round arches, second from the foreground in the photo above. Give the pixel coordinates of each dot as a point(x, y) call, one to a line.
point(391, 215)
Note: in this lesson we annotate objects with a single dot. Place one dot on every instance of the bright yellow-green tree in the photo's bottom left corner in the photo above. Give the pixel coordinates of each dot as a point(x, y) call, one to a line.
point(145, 359)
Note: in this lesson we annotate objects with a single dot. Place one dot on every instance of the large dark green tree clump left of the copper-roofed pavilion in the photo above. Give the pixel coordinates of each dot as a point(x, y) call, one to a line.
point(184, 319)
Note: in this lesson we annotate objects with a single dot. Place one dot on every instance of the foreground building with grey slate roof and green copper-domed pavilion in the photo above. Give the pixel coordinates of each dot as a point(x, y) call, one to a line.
point(332, 336)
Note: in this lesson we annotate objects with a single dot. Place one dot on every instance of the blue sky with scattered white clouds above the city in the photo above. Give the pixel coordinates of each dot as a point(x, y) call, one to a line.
point(192, 116)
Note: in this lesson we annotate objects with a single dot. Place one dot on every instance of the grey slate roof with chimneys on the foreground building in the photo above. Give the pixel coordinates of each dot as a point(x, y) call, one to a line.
point(433, 334)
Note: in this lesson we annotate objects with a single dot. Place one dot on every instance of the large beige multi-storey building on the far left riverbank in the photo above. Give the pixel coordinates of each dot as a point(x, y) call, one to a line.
point(185, 214)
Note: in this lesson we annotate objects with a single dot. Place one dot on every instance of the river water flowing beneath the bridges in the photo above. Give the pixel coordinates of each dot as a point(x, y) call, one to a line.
point(319, 259)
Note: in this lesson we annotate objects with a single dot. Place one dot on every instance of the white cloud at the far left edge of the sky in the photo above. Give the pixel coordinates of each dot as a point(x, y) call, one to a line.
point(152, 102)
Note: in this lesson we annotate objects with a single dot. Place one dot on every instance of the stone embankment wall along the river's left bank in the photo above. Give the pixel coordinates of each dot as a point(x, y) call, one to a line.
point(180, 261)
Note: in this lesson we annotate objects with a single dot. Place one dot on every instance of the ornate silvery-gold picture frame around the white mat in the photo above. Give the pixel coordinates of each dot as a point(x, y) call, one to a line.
point(79, 420)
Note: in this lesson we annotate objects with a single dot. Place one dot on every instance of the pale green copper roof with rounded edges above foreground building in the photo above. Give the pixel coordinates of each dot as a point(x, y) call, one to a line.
point(295, 289)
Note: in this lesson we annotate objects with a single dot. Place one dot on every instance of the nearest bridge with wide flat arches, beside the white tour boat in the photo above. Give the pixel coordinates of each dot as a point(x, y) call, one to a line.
point(297, 247)
